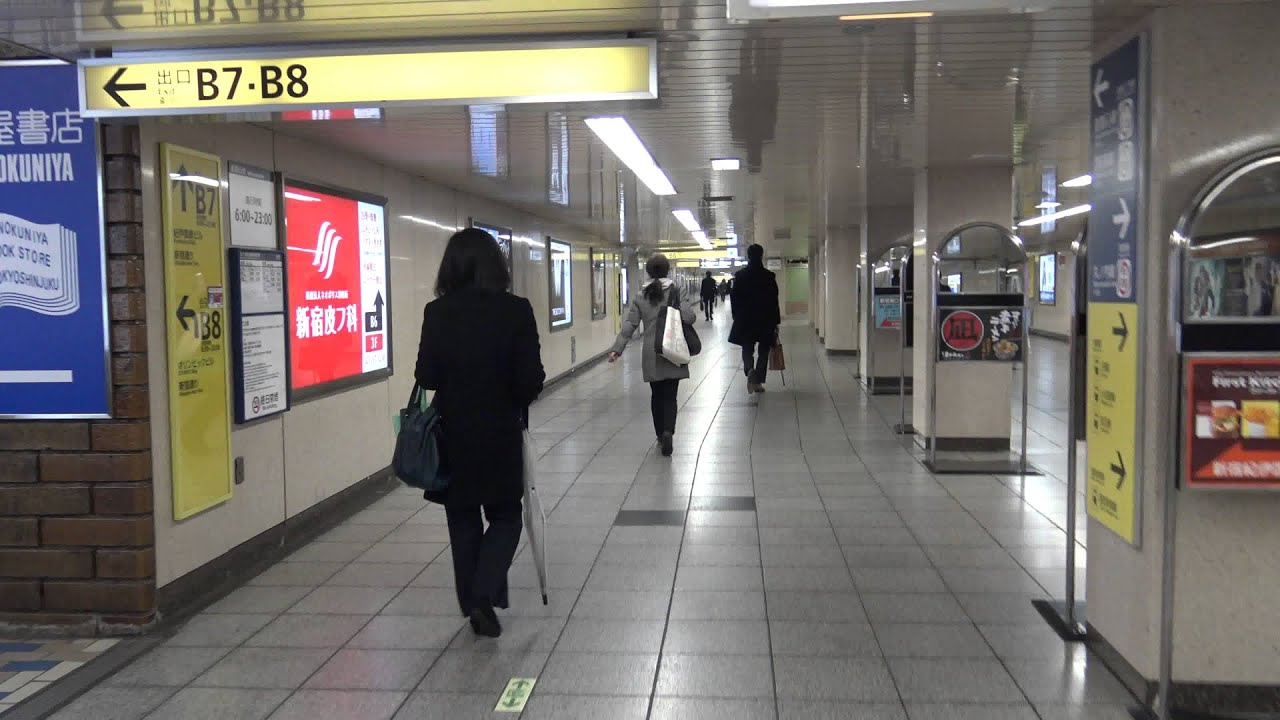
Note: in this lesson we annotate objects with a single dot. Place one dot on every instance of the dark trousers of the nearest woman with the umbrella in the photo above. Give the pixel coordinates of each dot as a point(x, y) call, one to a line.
point(483, 557)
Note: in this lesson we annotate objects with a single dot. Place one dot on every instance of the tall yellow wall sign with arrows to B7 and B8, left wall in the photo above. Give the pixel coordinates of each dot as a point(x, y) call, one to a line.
point(195, 325)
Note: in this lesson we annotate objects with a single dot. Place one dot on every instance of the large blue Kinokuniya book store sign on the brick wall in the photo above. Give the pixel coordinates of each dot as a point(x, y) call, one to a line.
point(54, 350)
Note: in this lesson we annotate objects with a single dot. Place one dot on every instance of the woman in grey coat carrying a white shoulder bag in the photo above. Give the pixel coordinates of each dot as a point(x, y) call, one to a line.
point(662, 375)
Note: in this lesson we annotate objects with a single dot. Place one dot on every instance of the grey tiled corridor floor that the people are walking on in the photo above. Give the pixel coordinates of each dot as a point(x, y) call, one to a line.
point(793, 560)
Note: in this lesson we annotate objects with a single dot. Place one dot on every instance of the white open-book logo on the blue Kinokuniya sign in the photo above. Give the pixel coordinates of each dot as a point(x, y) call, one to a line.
point(38, 267)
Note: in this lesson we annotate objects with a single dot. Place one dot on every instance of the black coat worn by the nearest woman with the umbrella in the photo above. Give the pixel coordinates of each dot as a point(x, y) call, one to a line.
point(481, 353)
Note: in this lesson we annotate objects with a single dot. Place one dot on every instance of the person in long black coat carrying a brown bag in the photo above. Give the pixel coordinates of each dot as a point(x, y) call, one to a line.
point(756, 317)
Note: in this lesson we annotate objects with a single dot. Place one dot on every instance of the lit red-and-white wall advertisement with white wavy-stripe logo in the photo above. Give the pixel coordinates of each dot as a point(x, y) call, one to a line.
point(337, 267)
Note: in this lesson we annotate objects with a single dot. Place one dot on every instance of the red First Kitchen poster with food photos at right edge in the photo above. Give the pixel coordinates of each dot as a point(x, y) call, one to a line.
point(1233, 435)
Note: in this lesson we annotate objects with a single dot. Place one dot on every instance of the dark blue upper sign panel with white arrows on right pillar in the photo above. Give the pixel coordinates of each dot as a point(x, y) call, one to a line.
point(1118, 130)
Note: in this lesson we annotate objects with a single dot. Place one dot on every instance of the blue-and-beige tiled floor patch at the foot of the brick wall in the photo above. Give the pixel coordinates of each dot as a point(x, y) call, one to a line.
point(30, 667)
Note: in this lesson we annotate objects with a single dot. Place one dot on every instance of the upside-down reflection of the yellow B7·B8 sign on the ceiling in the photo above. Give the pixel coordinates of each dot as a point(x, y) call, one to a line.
point(154, 20)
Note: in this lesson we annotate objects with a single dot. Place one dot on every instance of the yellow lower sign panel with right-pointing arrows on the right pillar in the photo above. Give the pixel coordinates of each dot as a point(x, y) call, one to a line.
point(1113, 430)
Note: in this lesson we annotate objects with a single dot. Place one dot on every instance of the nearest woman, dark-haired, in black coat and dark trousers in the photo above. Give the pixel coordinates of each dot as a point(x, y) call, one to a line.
point(481, 353)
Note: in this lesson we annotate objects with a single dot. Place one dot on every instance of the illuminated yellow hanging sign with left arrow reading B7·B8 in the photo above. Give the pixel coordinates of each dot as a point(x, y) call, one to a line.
point(266, 80)
